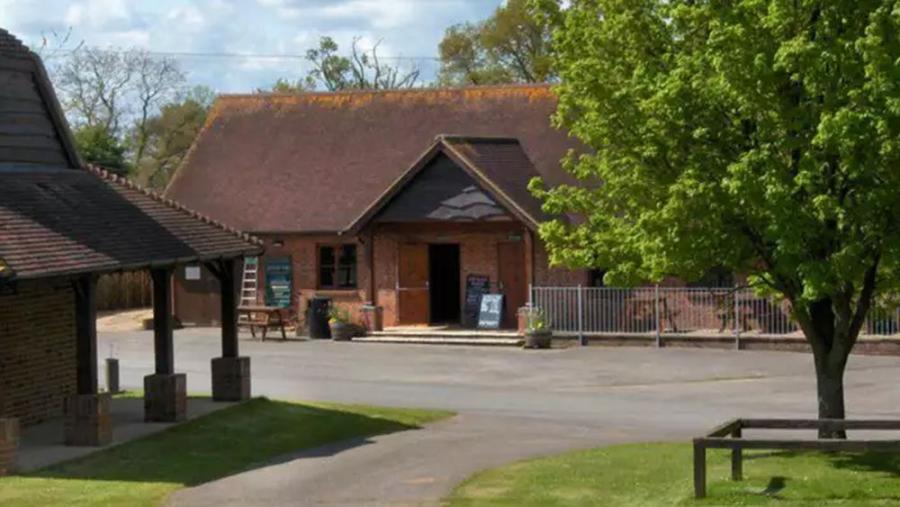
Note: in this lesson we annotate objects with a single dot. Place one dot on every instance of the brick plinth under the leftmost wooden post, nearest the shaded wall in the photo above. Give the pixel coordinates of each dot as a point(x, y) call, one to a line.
point(87, 419)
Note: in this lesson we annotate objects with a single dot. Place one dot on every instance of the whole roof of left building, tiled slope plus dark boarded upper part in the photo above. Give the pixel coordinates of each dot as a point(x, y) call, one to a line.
point(58, 217)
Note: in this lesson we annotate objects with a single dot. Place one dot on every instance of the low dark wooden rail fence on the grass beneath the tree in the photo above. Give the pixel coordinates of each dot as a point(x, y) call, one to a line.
point(729, 436)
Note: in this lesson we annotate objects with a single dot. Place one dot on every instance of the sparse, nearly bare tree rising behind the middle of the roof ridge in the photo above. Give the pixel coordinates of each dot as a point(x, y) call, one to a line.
point(360, 70)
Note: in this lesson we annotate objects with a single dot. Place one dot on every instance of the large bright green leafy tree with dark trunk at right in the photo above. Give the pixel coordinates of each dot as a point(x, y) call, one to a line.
point(759, 135)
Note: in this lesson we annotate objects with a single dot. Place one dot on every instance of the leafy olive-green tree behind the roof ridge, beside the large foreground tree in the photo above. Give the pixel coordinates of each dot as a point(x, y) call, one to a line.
point(513, 45)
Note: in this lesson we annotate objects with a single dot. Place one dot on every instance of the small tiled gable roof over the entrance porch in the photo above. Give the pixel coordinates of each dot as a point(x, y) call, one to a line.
point(498, 165)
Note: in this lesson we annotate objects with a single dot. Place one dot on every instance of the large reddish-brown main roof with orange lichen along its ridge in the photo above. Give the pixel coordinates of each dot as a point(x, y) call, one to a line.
point(315, 162)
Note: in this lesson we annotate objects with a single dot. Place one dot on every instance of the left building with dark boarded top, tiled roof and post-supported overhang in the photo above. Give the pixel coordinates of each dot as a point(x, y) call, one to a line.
point(62, 224)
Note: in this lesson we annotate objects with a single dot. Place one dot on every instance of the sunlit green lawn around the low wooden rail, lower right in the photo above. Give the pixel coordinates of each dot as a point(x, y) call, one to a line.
point(661, 475)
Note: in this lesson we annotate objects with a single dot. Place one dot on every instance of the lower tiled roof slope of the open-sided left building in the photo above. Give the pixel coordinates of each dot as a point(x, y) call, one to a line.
point(57, 222)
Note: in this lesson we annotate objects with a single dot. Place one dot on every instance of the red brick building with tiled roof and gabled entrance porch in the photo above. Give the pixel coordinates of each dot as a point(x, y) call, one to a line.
point(392, 198)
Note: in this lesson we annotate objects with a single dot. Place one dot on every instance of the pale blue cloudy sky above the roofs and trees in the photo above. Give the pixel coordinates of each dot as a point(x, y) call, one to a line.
point(278, 32)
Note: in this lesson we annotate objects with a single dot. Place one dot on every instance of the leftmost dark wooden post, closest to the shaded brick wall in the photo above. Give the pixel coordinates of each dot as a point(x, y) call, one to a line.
point(86, 334)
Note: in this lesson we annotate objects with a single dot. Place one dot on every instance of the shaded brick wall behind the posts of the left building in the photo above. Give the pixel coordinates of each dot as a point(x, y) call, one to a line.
point(37, 350)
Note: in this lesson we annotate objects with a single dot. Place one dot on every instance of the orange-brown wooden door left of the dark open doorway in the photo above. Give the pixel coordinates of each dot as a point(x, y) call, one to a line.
point(413, 298)
